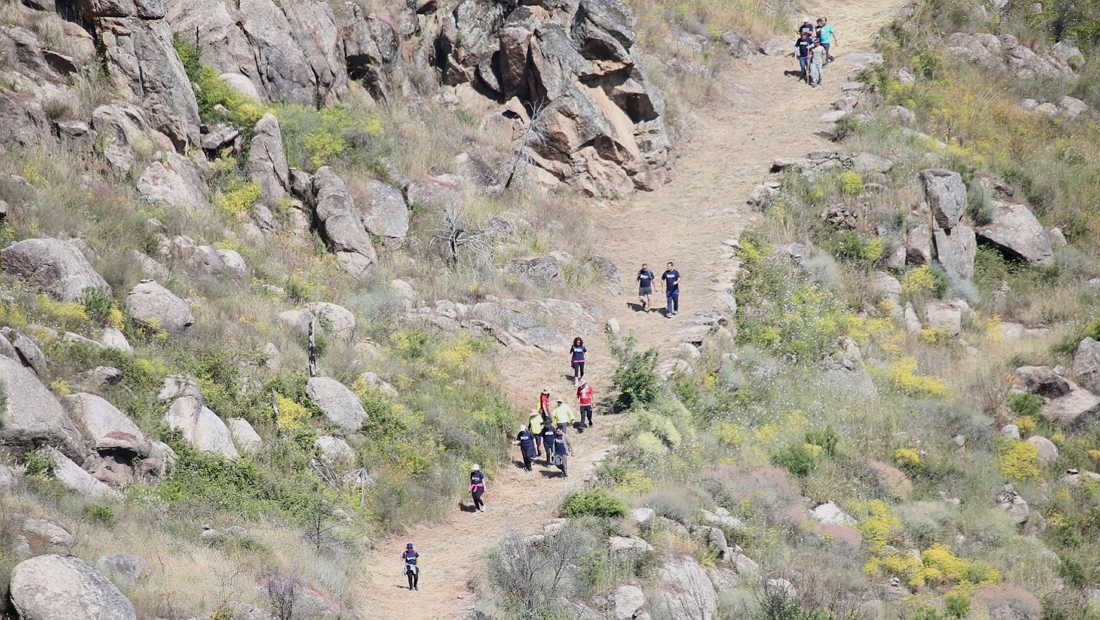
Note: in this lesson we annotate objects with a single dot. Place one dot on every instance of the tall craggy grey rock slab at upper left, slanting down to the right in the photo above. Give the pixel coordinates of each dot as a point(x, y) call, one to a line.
point(141, 60)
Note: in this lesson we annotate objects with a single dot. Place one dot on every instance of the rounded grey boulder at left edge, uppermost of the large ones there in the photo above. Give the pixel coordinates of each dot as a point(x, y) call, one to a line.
point(56, 267)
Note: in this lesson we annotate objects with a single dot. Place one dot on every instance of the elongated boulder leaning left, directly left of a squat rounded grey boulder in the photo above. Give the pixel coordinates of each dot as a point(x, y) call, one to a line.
point(342, 224)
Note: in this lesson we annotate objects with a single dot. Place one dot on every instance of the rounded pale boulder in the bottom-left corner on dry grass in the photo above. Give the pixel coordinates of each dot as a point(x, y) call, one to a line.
point(54, 586)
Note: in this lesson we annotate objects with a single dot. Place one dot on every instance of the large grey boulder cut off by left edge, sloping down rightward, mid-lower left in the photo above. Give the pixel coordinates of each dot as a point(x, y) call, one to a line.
point(32, 416)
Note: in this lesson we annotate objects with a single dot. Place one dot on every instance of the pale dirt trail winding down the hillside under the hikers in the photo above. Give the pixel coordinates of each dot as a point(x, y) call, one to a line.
point(758, 116)
